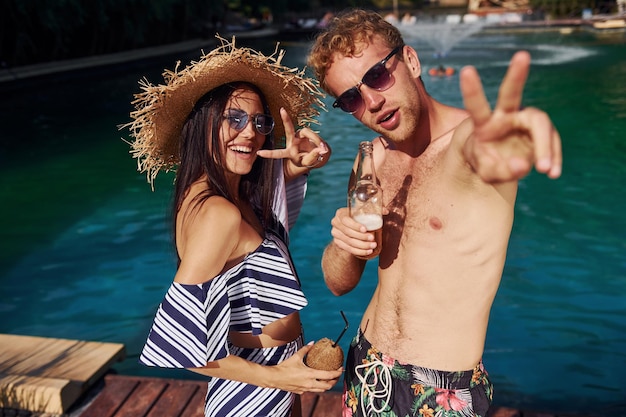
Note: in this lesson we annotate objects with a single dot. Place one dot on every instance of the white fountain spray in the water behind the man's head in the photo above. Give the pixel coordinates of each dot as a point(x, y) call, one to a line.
point(441, 33)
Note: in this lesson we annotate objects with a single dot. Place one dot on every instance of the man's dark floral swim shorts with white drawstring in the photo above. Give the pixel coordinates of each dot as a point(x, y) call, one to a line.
point(377, 385)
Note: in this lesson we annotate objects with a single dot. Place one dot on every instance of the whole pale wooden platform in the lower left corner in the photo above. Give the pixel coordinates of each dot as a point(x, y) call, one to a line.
point(48, 375)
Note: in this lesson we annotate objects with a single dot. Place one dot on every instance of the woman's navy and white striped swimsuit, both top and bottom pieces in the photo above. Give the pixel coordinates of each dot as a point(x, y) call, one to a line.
point(192, 323)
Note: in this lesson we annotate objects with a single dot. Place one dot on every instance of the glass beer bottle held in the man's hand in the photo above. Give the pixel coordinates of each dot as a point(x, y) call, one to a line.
point(365, 197)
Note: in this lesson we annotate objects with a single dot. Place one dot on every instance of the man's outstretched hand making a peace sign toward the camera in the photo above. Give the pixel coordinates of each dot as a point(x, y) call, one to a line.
point(508, 141)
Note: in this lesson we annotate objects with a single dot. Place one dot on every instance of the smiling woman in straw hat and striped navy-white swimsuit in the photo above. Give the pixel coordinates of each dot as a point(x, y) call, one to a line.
point(232, 312)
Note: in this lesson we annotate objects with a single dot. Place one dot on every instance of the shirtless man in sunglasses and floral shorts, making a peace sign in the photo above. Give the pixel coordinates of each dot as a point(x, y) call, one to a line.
point(449, 179)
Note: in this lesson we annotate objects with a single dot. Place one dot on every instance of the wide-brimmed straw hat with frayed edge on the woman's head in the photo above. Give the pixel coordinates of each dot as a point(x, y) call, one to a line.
point(161, 110)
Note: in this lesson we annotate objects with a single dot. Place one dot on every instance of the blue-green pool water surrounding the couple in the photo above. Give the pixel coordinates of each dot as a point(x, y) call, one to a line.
point(86, 248)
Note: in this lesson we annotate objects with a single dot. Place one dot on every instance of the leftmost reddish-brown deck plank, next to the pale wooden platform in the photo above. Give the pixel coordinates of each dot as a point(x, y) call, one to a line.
point(115, 393)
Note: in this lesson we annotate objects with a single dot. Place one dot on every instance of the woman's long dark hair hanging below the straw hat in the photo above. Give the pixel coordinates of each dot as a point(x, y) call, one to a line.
point(202, 153)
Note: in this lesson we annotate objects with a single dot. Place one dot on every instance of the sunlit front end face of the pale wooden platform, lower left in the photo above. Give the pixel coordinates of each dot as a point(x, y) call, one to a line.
point(45, 395)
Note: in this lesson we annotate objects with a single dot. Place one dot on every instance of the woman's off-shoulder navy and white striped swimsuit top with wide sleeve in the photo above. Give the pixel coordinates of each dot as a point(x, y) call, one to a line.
point(192, 323)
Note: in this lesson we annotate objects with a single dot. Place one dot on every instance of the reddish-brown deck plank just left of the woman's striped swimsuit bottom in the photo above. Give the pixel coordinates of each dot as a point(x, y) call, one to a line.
point(177, 396)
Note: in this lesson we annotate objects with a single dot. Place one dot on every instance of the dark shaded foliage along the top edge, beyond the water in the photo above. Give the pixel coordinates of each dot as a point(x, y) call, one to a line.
point(36, 31)
